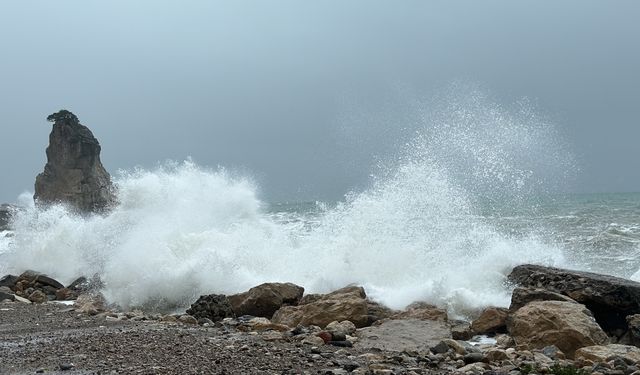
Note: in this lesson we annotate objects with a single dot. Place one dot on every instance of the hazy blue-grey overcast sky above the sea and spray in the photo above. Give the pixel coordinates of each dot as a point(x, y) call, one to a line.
point(270, 86)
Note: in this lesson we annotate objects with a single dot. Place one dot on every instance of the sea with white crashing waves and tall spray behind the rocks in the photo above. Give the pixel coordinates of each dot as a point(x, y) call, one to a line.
point(469, 194)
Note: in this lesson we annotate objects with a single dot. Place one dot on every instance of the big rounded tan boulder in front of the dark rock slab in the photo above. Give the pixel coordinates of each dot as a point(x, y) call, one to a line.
point(568, 326)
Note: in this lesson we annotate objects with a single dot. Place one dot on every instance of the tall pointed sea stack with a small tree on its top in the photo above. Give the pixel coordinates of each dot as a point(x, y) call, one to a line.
point(73, 174)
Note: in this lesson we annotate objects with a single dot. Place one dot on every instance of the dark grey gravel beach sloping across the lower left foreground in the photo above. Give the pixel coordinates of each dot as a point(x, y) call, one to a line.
point(51, 338)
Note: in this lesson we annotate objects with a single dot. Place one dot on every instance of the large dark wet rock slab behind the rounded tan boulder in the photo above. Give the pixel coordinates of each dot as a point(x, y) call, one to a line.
point(609, 298)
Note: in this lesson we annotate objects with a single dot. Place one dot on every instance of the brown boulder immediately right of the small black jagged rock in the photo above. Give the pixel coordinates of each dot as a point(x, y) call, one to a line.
point(265, 299)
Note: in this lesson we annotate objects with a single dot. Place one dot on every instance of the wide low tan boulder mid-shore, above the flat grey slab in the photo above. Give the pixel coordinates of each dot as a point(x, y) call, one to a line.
point(344, 304)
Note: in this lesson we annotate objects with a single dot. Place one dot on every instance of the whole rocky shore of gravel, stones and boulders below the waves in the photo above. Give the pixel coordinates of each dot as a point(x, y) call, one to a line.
point(559, 322)
